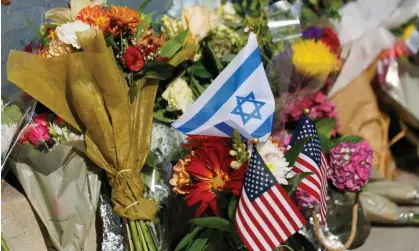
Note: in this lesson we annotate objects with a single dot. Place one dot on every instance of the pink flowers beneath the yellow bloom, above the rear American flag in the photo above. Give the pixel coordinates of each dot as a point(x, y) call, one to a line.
point(318, 103)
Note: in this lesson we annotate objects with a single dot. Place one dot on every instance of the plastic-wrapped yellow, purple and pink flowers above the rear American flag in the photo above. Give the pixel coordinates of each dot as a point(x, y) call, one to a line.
point(301, 74)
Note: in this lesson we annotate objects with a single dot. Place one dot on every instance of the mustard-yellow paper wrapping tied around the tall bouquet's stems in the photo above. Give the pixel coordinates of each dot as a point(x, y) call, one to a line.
point(88, 91)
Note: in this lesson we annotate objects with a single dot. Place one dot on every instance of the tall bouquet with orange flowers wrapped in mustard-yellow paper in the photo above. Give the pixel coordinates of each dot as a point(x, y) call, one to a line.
point(99, 67)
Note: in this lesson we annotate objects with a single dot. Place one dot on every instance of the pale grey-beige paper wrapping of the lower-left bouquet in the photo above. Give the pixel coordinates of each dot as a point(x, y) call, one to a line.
point(62, 190)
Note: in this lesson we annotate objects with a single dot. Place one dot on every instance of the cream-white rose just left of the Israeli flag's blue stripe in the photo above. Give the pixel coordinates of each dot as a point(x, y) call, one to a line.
point(178, 95)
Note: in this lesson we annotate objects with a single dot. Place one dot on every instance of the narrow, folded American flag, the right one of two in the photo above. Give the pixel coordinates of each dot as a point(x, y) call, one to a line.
point(311, 159)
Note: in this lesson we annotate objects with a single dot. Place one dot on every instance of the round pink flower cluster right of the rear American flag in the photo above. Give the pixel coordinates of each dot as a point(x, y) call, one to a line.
point(350, 165)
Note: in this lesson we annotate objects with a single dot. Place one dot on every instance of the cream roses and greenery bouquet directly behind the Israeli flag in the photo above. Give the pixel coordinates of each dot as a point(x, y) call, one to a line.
point(218, 36)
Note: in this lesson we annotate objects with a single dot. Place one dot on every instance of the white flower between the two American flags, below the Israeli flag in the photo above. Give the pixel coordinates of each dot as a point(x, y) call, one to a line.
point(275, 160)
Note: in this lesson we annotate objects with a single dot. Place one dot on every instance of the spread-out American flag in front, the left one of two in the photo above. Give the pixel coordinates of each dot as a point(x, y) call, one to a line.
point(266, 215)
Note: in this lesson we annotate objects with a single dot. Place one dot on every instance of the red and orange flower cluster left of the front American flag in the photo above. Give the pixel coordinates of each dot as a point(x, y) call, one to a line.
point(206, 171)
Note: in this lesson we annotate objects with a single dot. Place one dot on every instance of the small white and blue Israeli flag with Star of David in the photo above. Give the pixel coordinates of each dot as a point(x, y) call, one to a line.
point(239, 98)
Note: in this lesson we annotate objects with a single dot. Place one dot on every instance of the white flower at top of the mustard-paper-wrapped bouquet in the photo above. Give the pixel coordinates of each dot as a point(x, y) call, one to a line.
point(66, 33)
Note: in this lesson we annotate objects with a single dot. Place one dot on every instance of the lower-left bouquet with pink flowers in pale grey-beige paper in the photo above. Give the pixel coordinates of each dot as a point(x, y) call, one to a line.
point(59, 182)
